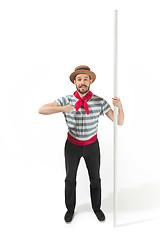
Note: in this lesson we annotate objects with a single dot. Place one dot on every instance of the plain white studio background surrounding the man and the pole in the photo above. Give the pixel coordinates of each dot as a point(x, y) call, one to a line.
point(40, 45)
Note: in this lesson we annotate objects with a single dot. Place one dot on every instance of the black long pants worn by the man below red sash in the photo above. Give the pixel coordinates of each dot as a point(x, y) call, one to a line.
point(91, 155)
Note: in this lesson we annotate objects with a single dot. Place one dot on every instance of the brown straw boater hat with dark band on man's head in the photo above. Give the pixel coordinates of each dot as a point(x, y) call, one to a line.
point(82, 69)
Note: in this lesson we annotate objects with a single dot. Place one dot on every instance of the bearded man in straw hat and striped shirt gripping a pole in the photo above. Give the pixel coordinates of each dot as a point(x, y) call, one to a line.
point(81, 111)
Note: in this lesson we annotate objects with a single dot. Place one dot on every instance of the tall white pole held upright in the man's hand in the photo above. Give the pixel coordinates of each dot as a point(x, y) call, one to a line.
point(115, 119)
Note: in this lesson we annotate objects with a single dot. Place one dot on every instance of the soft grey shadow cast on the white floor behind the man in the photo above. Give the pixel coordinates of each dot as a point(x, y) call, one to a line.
point(145, 197)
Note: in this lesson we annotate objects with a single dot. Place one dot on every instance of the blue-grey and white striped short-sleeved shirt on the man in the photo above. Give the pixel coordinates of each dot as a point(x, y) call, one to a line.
point(80, 125)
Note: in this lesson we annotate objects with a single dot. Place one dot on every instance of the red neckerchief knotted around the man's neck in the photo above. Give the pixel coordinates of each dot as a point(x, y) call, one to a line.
point(82, 101)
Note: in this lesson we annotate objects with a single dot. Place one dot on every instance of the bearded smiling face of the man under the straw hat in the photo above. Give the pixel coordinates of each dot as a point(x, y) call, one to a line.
point(82, 83)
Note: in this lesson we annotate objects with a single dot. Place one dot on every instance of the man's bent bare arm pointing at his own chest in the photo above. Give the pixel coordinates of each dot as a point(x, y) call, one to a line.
point(53, 107)
